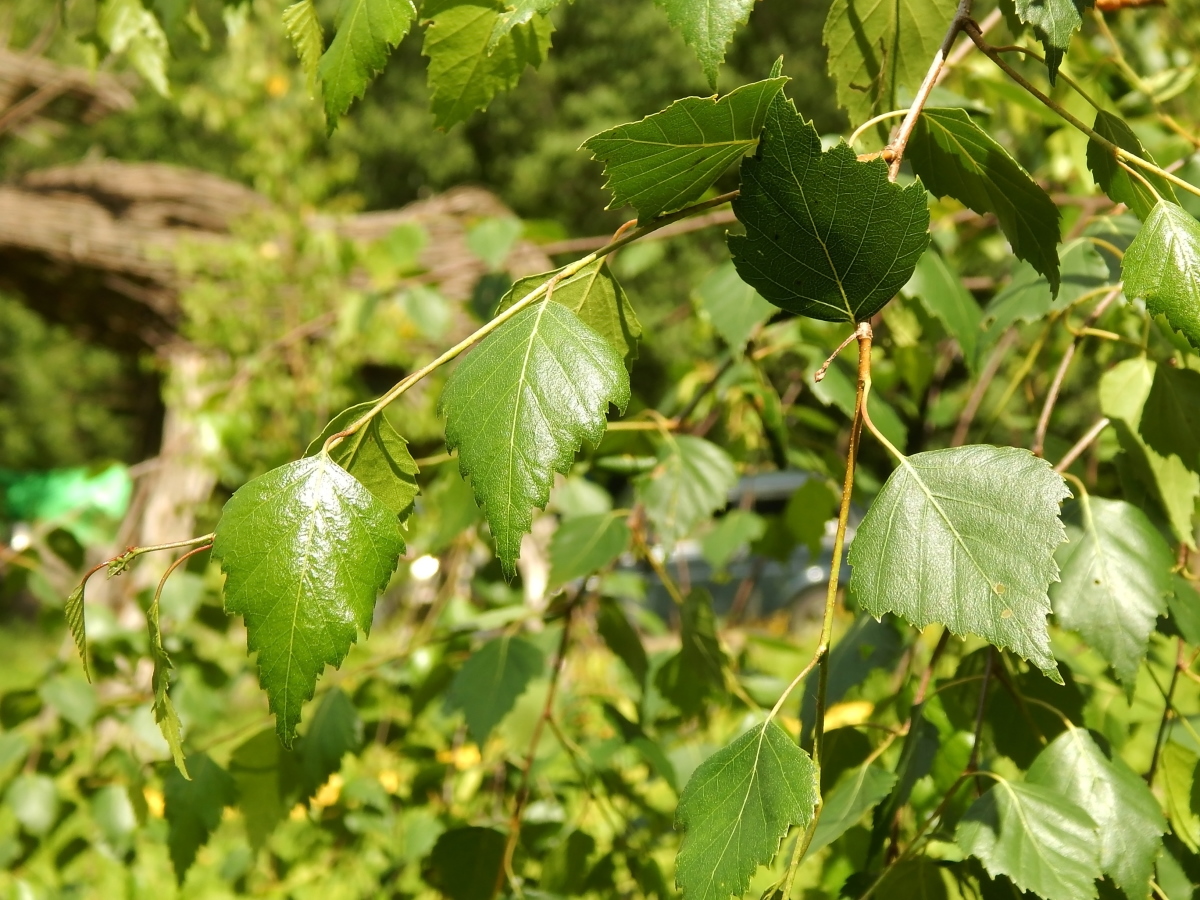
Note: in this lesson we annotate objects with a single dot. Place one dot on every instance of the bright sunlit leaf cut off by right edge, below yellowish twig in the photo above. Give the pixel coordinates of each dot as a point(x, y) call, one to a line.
point(1162, 267)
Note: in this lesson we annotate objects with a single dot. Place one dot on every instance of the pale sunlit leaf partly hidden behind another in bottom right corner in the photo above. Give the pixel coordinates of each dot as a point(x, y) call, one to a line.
point(1130, 821)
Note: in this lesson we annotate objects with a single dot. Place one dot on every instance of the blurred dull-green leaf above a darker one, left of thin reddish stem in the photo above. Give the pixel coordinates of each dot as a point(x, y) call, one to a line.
point(489, 685)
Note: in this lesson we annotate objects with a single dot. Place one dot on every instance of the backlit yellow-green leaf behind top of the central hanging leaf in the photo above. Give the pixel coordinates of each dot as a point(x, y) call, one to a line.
point(595, 296)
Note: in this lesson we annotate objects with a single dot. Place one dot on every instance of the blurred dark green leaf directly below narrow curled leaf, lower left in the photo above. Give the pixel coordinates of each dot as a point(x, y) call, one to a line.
point(194, 809)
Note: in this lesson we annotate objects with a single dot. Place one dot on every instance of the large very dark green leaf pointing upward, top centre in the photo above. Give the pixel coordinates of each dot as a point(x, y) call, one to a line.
point(827, 236)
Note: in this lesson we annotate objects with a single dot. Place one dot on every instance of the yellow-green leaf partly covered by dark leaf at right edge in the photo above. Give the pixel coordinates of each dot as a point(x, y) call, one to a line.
point(1173, 485)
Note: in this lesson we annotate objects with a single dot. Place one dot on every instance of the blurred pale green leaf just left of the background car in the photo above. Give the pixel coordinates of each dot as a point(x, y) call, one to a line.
point(691, 483)
